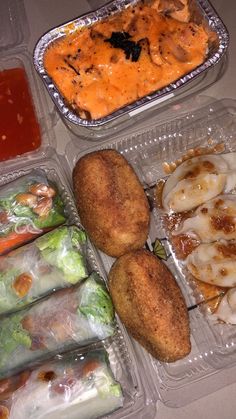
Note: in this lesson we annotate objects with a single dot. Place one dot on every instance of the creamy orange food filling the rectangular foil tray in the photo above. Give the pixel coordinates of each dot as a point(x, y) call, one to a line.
point(103, 67)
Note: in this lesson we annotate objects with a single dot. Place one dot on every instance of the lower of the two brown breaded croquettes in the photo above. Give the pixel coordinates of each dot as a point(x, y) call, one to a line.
point(150, 304)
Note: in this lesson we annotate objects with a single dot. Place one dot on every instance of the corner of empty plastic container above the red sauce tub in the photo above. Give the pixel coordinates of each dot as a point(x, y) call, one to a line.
point(13, 24)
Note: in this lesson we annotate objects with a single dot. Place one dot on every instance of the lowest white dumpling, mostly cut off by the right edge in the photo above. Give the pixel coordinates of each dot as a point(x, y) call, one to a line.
point(226, 310)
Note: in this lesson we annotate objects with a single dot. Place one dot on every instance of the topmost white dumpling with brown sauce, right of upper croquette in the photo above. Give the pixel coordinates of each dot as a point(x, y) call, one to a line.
point(198, 180)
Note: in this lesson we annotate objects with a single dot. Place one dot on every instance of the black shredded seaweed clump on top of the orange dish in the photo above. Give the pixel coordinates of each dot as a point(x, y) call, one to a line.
point(122, 40)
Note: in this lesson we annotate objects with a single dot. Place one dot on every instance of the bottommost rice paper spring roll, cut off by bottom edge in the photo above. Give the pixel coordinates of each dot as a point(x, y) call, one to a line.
point(76, 386)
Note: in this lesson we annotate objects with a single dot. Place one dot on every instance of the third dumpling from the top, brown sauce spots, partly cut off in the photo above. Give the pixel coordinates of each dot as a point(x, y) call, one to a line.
point(214, 263)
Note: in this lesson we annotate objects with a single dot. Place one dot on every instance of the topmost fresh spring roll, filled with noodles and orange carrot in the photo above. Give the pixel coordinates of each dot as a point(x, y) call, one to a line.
point(29, 206)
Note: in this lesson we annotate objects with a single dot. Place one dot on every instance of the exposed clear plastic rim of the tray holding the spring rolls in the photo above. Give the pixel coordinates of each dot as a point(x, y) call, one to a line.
point(139, 396)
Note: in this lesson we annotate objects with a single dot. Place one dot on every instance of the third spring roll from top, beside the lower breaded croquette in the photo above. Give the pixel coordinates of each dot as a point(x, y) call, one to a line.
point(69, 318)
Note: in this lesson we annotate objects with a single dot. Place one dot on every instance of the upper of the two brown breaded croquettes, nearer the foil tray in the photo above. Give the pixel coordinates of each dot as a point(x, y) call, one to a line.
point(111, 202)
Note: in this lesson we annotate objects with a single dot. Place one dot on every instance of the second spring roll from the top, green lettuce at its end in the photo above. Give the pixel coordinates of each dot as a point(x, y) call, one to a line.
point(55, 260)
